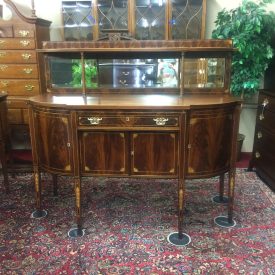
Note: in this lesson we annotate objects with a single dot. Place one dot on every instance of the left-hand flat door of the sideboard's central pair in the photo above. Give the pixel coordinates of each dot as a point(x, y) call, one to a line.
point(104, 153)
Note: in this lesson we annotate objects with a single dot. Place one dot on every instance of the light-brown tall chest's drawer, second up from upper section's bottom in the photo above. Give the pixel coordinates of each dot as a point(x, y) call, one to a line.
point(18, 71)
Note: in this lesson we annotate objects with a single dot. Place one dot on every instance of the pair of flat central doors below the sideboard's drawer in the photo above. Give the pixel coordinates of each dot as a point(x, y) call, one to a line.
point(145, 153)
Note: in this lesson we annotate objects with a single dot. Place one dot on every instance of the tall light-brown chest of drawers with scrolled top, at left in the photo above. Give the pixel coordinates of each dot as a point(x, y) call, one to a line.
point(21, 69)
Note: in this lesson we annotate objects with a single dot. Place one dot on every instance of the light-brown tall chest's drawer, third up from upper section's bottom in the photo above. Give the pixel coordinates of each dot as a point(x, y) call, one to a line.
point(20, 56)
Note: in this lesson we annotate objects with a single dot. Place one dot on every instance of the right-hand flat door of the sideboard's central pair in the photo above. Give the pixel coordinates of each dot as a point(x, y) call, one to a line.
point(154, 153)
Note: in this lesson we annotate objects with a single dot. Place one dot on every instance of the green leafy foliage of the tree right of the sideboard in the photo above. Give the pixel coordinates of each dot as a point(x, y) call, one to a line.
point(251, 28)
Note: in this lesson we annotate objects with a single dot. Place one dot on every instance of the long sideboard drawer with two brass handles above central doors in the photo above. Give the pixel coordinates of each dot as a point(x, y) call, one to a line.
point(129, 119)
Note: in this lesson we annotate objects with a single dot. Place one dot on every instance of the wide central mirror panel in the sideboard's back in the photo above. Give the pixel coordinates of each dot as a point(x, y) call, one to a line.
point(138, 73)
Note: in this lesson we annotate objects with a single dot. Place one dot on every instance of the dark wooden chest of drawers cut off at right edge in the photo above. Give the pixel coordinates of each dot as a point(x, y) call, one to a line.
point(263, 158)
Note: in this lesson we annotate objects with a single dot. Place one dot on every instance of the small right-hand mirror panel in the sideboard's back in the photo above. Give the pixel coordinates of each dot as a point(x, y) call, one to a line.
point(204, 72)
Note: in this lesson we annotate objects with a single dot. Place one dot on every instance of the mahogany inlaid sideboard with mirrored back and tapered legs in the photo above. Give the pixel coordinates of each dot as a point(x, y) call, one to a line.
point(165, 111)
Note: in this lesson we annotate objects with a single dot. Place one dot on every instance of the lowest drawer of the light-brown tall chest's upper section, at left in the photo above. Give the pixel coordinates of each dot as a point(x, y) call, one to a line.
point(19, 87)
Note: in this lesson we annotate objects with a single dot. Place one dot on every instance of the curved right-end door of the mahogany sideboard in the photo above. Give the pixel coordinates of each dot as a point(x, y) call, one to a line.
point(209, 142)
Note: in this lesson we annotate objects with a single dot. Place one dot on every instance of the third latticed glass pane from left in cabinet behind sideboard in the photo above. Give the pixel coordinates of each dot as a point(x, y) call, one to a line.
point(150, 19)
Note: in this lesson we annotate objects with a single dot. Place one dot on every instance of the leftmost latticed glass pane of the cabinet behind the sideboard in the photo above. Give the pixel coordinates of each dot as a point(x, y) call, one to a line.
point(77, 20)
